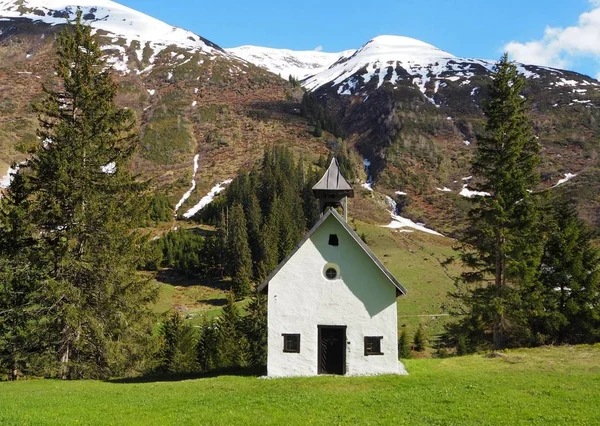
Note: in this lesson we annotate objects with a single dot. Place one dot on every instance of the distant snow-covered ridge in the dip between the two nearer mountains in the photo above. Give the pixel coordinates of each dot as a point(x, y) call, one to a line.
point(286, 63)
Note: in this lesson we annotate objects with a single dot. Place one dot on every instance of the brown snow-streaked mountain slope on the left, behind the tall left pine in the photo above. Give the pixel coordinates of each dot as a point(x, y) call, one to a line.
point(203, 113)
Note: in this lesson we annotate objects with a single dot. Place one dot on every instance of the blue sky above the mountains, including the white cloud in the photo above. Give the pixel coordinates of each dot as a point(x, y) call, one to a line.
point(564, 33)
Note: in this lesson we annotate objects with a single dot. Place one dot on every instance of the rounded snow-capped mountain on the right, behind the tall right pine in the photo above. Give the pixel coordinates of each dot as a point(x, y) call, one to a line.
point(415, 112)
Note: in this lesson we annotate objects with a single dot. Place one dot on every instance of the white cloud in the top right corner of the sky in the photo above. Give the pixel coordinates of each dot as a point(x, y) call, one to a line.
point(559, 47)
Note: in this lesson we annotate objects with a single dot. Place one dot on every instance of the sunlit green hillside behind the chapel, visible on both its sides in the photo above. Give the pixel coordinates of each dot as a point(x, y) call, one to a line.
point(414, 259)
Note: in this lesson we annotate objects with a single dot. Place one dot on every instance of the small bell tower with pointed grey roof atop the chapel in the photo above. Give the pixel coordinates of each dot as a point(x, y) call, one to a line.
point(333, 189)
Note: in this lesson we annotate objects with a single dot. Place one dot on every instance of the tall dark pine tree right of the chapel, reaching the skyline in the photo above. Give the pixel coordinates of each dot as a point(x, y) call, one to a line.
point(501, 245)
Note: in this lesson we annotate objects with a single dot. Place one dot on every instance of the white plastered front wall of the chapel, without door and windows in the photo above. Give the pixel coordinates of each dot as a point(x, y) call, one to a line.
point(300, 298)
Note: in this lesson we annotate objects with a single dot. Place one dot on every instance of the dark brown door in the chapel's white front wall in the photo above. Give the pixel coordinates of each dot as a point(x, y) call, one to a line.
point(332, 349)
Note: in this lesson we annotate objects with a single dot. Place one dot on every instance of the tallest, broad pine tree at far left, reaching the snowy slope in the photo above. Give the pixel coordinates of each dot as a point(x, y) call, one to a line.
point(85, 206)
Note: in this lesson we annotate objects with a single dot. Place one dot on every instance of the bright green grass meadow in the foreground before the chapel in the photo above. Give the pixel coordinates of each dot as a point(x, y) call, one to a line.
point(542, 386)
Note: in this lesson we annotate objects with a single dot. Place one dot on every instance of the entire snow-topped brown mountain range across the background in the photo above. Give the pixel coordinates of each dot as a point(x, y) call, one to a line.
point(414, 111)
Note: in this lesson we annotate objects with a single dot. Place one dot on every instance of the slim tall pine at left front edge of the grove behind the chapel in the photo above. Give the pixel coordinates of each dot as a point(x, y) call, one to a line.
point(241, 257)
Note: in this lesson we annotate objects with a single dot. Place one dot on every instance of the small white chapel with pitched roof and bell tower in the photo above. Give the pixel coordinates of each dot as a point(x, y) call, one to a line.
point(332, 303)
